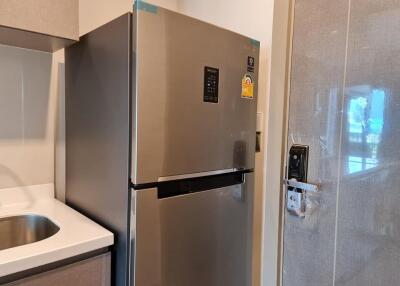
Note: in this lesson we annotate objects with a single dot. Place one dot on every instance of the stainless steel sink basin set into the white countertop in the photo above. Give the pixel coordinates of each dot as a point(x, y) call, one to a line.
point(25, 229)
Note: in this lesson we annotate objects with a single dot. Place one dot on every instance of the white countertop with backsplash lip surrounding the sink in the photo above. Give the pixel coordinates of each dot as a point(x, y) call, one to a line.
point(77, 234)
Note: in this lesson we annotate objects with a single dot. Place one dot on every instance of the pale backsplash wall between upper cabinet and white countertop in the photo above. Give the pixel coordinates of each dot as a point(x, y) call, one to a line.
point(28, 94)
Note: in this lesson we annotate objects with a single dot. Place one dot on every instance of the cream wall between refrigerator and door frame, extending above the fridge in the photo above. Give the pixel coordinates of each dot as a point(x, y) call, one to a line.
point(252, 18)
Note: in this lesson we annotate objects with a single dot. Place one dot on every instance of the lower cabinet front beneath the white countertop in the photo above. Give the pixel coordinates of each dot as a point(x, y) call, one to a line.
point(95, 271)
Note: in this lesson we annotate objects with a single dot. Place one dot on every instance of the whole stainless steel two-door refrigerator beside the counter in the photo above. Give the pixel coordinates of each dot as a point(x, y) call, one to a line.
point(160, 134)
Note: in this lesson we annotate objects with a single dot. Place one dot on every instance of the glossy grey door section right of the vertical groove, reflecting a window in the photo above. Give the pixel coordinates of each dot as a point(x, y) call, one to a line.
point(368, 228)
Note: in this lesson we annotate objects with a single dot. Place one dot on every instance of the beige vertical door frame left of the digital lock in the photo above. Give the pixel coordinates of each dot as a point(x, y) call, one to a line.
point(276, 140)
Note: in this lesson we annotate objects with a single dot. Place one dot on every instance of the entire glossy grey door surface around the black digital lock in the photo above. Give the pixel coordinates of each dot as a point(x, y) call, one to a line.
point(345, 104)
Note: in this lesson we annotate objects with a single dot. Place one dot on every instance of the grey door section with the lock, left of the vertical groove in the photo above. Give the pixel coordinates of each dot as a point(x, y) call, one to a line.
point(315, 113)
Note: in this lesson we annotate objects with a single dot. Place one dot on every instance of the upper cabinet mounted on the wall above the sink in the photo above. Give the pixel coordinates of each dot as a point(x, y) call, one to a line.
point(46, 25)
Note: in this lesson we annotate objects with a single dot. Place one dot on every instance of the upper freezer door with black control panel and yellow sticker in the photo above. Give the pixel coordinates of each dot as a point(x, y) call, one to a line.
point(196, 91)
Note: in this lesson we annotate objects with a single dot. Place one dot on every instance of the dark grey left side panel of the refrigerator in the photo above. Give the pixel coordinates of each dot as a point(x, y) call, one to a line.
point(97, 70)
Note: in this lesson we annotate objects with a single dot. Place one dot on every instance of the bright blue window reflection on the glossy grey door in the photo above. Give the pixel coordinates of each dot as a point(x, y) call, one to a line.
point(365, 119)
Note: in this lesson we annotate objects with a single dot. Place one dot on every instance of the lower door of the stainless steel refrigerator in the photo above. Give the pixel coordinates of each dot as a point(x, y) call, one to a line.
point(198, 239)
